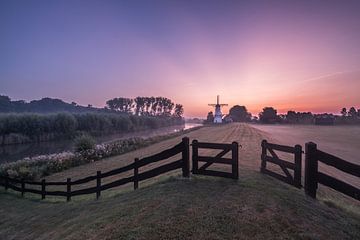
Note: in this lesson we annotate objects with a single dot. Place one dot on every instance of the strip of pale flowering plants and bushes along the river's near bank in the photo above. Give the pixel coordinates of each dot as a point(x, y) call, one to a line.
point(44, 165)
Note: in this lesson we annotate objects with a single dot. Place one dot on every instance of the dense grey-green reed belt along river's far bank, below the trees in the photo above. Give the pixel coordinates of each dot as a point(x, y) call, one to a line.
point(34, 127)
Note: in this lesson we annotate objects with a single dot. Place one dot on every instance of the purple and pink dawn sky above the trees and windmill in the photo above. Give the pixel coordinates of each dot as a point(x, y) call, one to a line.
point(292, 55)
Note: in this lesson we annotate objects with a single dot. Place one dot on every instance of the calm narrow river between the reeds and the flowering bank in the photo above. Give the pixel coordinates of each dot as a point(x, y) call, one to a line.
point(10, 153)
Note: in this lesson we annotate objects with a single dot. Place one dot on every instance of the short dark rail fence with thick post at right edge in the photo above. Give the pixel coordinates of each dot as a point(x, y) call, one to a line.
point(313, 176)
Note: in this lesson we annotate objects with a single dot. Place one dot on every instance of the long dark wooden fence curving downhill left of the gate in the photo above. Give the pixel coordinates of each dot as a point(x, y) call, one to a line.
point(183, 163)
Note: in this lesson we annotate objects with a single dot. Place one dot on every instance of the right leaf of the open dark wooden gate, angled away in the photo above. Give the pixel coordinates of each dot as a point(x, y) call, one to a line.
point(294, 179)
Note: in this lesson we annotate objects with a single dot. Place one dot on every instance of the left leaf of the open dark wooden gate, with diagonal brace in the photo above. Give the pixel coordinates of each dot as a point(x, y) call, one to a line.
point(209, 160)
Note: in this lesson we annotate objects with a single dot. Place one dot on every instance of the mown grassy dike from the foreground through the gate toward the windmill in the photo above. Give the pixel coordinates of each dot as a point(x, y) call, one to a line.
point(169, 207)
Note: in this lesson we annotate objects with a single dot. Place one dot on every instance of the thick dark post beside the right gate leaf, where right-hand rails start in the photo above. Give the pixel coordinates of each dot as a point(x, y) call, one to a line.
point(311, 169)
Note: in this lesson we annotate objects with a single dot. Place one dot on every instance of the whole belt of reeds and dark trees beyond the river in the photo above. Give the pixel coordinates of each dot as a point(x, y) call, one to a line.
point(48, 119)
